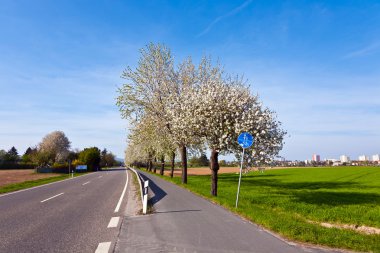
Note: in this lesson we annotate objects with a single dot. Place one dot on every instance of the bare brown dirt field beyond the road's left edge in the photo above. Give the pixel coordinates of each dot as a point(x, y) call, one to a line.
point(18, 176)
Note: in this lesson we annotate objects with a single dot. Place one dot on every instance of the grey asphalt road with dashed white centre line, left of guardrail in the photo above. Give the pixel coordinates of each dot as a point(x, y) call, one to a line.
point(67, 216)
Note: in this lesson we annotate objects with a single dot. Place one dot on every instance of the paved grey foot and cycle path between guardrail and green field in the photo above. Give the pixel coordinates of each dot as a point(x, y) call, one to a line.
point(184, 222)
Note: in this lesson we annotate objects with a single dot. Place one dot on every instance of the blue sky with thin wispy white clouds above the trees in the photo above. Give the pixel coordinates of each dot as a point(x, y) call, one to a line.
point(316, 63)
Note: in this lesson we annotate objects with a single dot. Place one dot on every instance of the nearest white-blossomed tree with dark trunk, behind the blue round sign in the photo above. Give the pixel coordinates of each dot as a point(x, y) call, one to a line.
point(220, 108)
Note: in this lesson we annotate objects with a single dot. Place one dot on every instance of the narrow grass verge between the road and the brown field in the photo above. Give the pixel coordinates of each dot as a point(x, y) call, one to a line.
point(33, 183)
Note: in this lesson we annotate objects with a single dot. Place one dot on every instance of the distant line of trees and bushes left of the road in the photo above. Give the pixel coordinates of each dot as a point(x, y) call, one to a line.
point(54, 152)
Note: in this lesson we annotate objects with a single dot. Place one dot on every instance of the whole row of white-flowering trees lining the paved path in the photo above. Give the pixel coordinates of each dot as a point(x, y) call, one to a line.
point(174, 108)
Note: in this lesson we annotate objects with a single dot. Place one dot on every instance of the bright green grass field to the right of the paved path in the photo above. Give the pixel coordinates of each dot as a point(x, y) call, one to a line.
point(288, 201)
